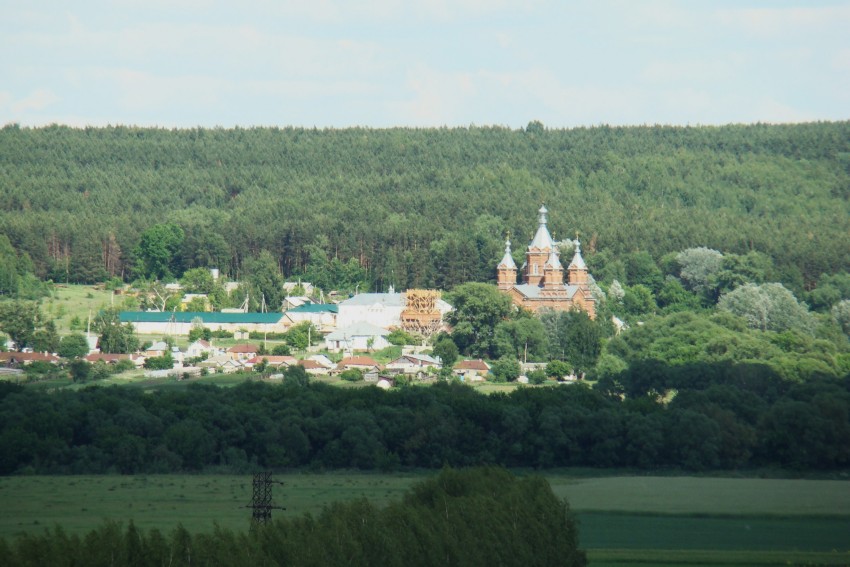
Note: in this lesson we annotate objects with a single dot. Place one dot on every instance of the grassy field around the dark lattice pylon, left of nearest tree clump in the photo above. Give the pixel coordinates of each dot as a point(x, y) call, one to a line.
point(80, 503)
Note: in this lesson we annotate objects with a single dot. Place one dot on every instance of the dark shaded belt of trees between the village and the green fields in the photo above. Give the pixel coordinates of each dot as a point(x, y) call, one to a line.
point(698, 417)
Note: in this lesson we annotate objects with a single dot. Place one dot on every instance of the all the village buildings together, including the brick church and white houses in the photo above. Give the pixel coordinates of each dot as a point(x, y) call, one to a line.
point(364, 322)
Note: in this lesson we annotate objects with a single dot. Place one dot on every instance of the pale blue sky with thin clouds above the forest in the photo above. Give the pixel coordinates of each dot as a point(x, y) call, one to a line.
point(422, 63)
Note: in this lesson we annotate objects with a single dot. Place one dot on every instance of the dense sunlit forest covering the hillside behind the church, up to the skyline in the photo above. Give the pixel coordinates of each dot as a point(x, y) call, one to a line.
point(410, 207)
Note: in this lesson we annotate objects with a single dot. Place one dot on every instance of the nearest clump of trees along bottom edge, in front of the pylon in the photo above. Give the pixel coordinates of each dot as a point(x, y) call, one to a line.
point(460, 517)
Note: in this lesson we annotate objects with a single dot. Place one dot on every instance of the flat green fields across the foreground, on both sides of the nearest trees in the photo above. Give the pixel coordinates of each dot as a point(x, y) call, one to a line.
point(624, 520)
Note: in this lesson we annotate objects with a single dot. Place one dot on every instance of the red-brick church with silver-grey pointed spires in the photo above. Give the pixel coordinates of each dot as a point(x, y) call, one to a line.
point(543, 280)
